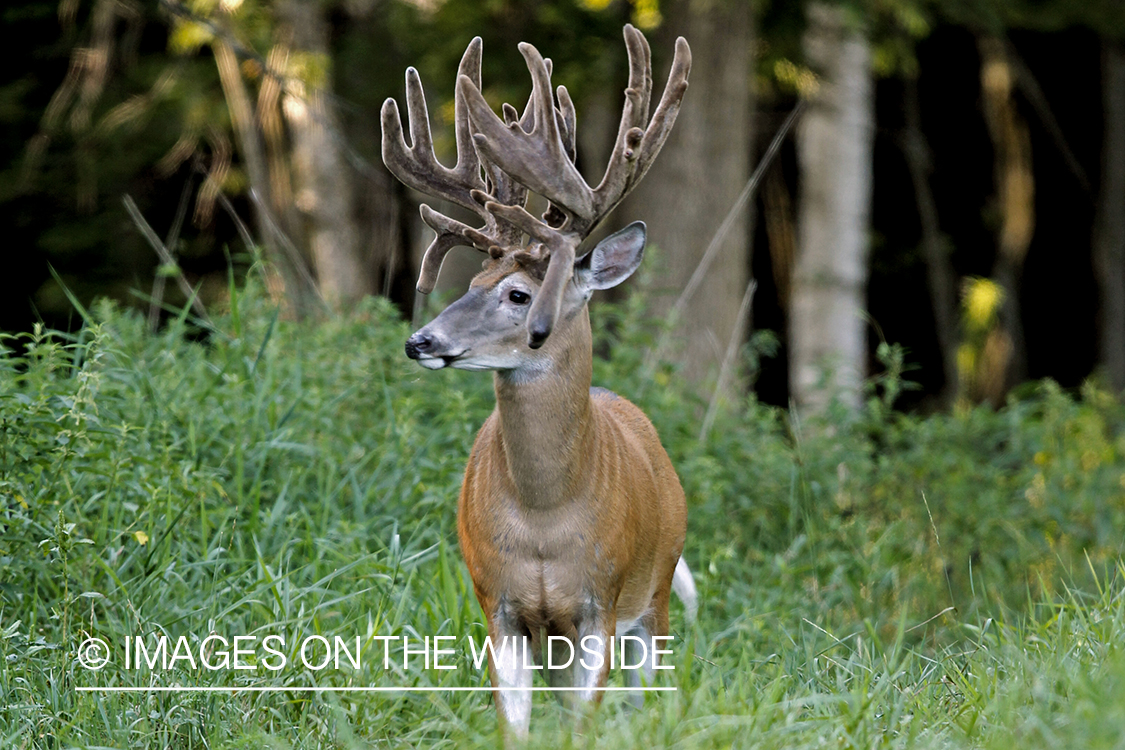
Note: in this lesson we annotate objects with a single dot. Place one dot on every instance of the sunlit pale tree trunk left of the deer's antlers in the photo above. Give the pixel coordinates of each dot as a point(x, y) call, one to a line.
point(325, 182)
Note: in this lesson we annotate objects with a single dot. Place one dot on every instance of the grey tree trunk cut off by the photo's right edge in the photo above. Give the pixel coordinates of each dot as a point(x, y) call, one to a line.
point(1110, 227)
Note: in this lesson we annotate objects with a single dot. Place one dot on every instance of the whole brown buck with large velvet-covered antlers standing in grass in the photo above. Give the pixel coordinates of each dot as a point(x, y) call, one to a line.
point(571, 518)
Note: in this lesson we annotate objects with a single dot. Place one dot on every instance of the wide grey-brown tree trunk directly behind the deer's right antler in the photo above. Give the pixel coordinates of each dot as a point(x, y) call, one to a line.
point(697, 178)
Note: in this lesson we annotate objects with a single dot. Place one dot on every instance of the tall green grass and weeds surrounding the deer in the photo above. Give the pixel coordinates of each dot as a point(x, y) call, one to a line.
point(874, 582)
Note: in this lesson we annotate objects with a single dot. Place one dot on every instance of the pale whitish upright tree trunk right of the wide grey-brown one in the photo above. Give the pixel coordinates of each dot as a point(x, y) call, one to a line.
point(835, 140)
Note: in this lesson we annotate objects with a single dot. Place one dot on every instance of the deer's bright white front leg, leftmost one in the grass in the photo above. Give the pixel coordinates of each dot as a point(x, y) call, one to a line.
point(507, 668)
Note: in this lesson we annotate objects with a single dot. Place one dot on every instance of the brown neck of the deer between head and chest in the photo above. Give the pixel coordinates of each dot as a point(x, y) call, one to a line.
point(545, 420)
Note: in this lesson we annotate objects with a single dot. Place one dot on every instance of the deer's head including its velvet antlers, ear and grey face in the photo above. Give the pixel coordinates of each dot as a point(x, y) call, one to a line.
point(535, 275)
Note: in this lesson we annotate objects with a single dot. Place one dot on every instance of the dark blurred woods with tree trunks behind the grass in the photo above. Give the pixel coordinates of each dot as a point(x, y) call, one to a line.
point(989, 228)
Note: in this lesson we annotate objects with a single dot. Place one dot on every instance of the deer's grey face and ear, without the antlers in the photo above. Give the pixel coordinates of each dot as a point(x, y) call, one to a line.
point(489, 328)
